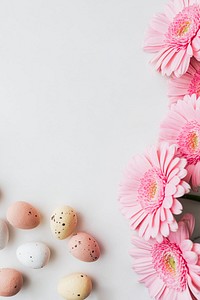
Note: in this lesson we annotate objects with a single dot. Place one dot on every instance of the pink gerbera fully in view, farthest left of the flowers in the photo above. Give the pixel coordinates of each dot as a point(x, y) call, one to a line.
point(149, 193)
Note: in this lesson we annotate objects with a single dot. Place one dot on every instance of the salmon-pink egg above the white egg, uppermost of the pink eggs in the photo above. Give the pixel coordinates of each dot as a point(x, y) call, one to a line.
point(23, 215)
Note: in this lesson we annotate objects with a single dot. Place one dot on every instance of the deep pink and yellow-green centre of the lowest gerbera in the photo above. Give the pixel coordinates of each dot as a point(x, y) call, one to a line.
point(170, 264)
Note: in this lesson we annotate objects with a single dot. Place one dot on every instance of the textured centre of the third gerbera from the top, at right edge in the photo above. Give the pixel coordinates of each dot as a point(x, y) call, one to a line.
point(189, 142)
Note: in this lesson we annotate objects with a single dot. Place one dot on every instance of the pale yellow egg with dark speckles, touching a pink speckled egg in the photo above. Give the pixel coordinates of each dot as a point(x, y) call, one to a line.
point(63, 222)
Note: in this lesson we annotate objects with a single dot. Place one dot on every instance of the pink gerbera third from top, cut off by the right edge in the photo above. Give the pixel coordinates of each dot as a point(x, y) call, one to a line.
point(182, 127)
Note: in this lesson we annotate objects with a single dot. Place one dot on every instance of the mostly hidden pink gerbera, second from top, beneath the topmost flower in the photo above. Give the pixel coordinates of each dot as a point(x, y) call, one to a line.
point(188, 84)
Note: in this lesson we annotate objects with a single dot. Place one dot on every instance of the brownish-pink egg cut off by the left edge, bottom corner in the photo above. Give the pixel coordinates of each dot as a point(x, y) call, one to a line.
point(11, 282)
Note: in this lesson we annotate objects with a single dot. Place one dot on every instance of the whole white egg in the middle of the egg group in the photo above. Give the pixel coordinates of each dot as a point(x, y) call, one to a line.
point(34, 255)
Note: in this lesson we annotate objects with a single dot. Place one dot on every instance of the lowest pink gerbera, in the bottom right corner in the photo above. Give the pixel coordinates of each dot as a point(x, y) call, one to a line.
point(170, 269)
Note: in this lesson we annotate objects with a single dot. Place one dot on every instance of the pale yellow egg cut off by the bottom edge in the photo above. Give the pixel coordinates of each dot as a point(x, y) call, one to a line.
point(76, 286)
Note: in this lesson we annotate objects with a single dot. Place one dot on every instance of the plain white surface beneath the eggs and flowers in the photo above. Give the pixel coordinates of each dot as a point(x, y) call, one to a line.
point(78, 100)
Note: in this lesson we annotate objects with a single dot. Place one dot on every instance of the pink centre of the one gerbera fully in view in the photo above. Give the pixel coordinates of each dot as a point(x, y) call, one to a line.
point(151, 190)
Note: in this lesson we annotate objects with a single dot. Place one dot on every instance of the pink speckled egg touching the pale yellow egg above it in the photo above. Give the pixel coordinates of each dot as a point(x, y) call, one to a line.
point(84, 247)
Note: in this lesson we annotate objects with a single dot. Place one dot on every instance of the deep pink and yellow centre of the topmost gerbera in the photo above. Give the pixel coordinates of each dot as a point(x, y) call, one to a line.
point(184, 27)
